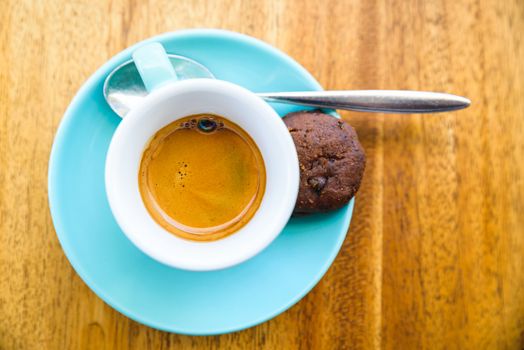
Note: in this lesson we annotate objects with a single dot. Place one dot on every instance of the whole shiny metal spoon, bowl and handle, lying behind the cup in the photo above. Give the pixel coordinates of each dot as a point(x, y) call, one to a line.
point(124, 89)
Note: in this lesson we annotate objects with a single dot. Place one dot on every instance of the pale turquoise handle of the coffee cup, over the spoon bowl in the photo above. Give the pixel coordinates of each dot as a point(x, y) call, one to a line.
point(154, 66)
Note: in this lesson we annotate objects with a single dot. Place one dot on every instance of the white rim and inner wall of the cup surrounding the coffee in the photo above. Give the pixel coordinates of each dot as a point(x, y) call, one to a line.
point(179, 100)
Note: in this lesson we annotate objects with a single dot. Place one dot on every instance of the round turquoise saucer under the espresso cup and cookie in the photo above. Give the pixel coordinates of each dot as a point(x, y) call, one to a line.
point(198, 303)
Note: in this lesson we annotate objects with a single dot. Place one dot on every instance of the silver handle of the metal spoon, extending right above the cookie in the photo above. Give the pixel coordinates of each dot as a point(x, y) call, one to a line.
point(382, 101)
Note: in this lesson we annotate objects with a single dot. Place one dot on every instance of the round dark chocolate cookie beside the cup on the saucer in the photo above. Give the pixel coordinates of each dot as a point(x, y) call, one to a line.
point(332, 160)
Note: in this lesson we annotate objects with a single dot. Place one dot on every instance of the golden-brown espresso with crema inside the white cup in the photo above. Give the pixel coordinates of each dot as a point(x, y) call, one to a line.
point(202, 177)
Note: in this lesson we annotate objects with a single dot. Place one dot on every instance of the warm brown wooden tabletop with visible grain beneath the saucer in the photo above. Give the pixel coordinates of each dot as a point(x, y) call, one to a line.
point(434, 258)
